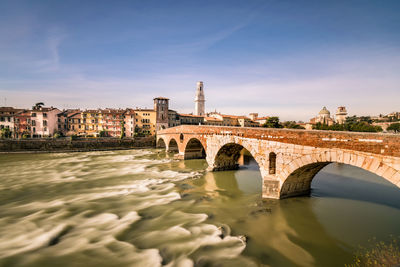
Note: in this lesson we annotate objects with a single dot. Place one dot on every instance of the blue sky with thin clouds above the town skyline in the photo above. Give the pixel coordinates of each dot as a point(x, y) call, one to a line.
point(284, 58)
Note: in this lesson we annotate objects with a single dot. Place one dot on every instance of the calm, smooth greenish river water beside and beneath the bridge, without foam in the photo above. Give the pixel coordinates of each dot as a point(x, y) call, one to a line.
point(321, 230)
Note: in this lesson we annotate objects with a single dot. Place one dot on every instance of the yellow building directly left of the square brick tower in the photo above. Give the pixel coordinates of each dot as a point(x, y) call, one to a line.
point(145, 121)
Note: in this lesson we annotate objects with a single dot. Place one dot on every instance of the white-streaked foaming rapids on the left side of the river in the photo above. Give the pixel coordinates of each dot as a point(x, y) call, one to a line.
point(71, 212)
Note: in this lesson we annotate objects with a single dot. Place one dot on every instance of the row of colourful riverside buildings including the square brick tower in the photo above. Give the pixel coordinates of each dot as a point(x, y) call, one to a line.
point(48, 121)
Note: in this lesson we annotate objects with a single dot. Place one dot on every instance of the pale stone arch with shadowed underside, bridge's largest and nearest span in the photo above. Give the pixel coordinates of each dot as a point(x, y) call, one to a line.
point(296, 177)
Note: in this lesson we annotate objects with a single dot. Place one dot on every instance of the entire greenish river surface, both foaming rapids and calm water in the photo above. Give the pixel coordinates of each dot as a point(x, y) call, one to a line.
point(143, 208)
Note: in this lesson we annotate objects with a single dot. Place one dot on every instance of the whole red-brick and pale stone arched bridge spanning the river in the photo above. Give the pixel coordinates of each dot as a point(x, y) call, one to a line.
point(288, 159)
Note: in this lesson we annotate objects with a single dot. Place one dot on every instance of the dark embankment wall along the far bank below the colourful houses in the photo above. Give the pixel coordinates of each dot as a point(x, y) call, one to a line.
point(80, 144)
